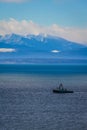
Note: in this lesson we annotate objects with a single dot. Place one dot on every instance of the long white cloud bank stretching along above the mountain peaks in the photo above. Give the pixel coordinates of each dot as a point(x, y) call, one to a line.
point(25, 27)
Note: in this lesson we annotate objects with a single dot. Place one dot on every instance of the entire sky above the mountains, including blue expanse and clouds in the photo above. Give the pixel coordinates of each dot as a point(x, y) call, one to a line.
point(62, 18)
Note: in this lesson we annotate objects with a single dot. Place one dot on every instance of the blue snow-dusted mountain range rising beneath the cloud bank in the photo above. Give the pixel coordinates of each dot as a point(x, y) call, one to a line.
point(31, 46)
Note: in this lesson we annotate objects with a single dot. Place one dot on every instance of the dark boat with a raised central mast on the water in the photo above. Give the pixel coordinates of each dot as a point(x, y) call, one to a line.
point(61, 89)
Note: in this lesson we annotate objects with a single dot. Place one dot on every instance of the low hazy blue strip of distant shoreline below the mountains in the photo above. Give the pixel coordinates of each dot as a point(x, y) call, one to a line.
point(57, 61)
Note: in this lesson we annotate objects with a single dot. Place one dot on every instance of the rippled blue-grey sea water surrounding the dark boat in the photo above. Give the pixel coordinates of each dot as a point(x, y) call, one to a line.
point(27, 101)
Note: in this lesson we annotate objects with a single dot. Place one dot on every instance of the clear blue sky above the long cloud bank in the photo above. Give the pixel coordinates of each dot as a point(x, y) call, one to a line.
point(62, 12)
